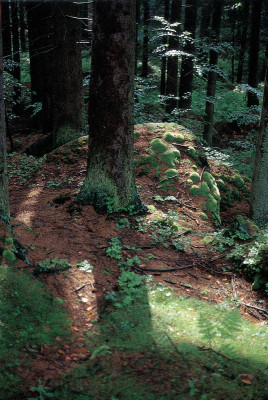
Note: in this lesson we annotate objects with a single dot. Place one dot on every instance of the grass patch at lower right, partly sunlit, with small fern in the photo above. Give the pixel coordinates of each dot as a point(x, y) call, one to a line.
point(156, 348)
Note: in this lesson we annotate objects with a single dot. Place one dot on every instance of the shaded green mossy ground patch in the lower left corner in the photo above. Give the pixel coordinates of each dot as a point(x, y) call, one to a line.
point(29, 318)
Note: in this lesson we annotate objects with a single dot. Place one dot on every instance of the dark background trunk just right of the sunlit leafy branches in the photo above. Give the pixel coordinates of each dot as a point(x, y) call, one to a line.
point(187, 64)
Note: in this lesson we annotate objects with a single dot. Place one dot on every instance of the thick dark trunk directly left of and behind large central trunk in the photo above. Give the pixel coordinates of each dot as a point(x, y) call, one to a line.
point(66, 85)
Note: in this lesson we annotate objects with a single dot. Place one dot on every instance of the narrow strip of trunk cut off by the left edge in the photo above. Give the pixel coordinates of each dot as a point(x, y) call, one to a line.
point(4, 205)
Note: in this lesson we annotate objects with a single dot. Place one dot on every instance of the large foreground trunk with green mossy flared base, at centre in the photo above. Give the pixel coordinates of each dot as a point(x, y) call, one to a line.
point(110, 172)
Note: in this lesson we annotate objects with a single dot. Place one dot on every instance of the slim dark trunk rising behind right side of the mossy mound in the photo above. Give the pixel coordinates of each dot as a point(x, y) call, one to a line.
point(212, 75)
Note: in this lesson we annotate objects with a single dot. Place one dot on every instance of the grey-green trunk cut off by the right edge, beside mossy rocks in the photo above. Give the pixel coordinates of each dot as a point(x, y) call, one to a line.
point(259, 190)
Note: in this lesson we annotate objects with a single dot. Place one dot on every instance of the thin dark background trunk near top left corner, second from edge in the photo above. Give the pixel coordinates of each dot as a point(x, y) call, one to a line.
point(16, 51)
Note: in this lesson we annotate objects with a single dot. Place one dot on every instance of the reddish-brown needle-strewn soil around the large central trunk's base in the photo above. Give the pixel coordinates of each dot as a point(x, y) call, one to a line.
point(60, 228)
